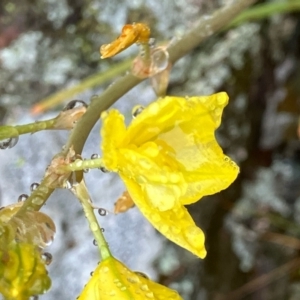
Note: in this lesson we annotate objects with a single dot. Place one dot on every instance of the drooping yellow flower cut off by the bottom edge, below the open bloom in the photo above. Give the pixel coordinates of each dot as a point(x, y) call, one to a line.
point(113, 280)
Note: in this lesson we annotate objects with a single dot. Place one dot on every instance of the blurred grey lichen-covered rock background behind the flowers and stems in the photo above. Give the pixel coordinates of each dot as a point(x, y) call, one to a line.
point(253, 228)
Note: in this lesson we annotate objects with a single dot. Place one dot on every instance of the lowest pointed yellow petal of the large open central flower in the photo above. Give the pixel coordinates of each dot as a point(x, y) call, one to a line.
point(176, 224)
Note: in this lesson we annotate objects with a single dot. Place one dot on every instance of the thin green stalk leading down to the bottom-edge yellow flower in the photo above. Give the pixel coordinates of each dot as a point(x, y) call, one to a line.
point(81, 192)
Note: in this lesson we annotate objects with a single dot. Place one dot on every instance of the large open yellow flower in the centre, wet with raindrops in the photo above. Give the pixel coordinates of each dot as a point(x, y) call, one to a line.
point(168, 157)
